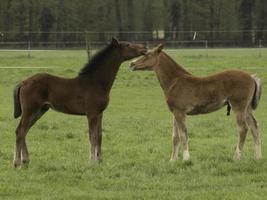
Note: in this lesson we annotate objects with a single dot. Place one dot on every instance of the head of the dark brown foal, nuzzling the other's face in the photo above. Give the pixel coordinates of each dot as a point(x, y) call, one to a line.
point(129, 50)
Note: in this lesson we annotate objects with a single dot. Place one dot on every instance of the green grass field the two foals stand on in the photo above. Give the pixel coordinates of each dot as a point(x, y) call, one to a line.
point(136, 138)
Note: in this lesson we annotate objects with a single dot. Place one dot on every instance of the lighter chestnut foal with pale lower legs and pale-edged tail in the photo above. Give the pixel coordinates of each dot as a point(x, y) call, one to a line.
point(187, 94)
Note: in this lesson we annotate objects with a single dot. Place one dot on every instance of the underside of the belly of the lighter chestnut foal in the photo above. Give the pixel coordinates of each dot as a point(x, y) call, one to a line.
point(206, 108)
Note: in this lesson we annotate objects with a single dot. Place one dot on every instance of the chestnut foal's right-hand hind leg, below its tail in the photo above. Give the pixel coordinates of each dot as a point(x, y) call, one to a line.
point(253, 125)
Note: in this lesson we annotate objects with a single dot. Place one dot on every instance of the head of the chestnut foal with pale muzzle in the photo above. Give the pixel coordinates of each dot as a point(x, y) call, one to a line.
point(148, 61)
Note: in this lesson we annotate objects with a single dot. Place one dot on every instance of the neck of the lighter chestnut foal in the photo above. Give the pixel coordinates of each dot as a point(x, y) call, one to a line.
point(168, 71)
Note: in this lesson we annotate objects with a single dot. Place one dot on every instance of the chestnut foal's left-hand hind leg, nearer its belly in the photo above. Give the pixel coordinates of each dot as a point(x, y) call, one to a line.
point(243, 128)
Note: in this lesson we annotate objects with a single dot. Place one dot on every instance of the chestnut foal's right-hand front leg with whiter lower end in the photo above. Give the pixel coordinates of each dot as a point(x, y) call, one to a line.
point(180, 120)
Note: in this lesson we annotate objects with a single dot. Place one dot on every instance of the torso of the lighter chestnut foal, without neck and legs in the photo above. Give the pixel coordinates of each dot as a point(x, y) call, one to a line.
point(198, 95)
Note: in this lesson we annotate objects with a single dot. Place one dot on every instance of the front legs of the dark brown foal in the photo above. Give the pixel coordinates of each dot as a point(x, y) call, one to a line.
point(95, 136)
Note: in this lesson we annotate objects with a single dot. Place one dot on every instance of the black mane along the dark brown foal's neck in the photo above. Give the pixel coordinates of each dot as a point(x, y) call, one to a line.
point(97, 60)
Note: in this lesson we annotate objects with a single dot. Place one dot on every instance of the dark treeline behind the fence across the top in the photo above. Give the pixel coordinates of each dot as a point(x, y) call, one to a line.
point(49, 20)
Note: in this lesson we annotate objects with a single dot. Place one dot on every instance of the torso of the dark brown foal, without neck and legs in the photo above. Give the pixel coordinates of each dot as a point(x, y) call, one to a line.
point(67, 95)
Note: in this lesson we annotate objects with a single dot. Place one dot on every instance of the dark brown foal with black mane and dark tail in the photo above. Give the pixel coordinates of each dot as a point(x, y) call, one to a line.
point(86, 94)
